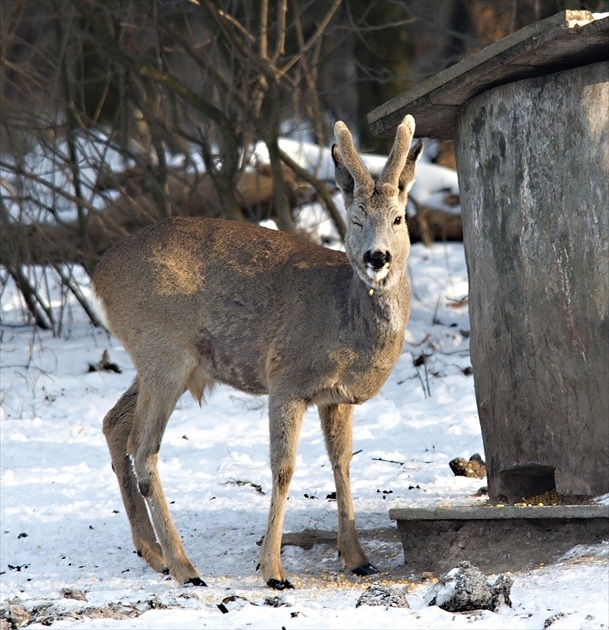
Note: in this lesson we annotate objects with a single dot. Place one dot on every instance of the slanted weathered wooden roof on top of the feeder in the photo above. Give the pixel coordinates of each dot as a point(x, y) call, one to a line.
point(566, 40)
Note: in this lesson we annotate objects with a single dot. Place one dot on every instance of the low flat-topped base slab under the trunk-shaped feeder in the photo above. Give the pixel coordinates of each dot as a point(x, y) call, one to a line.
point(496, 539)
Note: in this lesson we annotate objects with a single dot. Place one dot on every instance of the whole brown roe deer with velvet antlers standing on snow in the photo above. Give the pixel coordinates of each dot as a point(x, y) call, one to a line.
point(199, 301)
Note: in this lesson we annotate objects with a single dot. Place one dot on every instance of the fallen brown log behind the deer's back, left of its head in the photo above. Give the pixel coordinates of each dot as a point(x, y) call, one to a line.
point(137, 206)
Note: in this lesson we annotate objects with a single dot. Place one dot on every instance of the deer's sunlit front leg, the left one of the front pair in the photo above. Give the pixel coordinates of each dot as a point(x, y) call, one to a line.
point(285, 420)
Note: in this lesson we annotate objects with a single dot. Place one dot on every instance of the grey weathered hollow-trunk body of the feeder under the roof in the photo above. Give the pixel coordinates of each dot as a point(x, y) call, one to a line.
point(533, 159)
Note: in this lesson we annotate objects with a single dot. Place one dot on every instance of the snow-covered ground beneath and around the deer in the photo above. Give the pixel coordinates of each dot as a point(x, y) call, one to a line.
point(63, 525)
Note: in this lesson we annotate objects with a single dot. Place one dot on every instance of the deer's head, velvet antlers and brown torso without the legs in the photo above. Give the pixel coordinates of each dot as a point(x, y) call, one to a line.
point(256, 308)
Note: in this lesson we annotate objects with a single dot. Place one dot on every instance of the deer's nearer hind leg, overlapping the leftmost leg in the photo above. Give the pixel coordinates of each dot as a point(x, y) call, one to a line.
point(154, 406)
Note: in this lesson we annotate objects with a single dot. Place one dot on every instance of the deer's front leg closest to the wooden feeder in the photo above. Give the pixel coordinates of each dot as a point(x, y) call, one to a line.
point(337, 425)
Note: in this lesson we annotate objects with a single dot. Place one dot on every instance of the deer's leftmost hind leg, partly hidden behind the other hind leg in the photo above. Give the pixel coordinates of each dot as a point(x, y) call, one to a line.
point(117, 427)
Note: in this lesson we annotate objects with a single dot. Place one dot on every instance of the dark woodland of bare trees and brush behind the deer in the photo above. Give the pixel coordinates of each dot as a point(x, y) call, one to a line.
point(116, 113)
